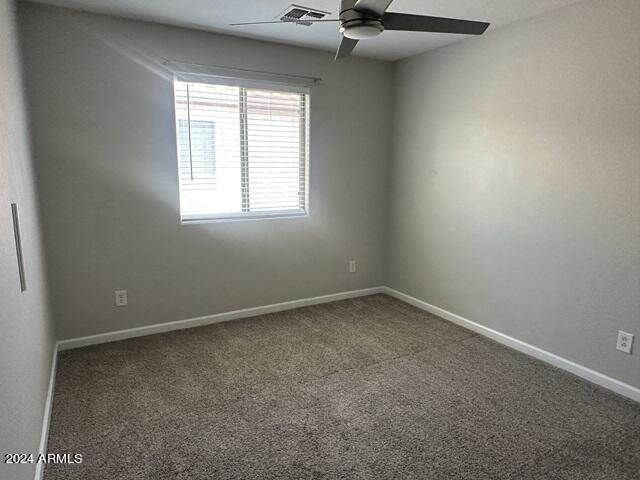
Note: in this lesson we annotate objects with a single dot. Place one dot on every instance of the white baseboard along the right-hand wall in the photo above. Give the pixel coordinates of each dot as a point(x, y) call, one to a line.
point(581, 371)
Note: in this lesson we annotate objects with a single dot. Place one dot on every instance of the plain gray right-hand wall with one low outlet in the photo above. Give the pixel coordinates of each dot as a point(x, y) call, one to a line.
point(516, 182)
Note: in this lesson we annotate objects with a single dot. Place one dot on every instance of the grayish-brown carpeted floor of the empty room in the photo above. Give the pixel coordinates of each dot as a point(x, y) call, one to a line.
point(369, 388)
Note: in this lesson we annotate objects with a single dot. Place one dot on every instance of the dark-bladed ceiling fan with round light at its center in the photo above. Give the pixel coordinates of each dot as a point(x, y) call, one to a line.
point(362, 19)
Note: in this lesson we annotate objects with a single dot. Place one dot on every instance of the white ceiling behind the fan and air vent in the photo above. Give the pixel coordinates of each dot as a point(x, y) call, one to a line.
point(216, 15)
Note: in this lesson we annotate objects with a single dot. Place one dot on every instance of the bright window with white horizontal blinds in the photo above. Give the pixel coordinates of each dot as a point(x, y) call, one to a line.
point(242, 151)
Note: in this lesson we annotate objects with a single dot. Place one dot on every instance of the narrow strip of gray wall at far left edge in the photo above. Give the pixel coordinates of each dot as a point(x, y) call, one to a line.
point(26, 335)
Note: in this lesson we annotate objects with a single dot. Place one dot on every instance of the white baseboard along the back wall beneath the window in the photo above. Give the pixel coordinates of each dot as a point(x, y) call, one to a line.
point(210, 319)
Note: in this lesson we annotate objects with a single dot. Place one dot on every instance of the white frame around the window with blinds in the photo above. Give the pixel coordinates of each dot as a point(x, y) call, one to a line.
point(195, 219)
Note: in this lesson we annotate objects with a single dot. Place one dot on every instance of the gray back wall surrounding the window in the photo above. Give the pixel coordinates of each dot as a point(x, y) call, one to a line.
point(102, 117)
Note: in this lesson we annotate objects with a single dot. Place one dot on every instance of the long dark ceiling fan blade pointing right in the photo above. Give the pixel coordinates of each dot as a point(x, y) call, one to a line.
point(422, 23)
